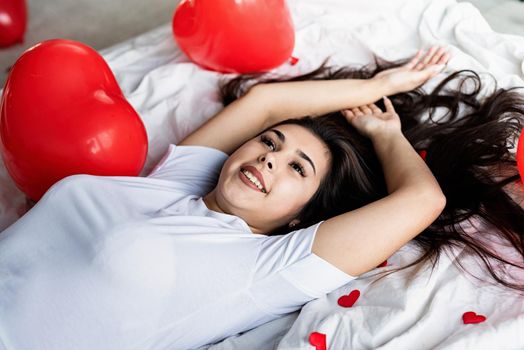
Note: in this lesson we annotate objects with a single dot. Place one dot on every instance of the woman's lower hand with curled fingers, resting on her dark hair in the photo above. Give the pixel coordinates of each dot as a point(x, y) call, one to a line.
point(369, 120)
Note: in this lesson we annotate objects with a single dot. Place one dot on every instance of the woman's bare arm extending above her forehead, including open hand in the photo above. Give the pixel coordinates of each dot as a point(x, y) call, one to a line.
point(267, 104)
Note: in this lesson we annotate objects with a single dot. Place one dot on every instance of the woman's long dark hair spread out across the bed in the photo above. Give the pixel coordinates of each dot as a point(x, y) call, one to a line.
point(468, 149)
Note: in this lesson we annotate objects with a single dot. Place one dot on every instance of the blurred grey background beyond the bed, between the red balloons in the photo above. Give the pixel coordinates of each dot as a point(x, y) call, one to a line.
point(97, 23)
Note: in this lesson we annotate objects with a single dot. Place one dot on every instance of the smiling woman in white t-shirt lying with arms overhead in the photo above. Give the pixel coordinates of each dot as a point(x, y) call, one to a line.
point(191, 254)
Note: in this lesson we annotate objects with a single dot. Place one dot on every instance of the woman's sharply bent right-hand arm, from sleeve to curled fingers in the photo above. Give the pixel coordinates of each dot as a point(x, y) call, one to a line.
point(358, 241)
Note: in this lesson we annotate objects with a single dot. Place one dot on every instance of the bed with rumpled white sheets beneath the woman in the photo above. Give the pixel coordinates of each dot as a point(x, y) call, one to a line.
point(411, 309)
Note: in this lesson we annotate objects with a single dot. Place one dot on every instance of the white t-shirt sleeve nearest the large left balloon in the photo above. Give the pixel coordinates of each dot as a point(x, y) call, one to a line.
point(195, 169)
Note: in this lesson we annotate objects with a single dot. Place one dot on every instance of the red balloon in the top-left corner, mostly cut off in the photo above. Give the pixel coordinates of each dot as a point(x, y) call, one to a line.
point(13, 22)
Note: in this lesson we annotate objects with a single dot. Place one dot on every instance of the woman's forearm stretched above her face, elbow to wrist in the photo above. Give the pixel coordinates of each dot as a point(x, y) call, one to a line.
point(317, 97)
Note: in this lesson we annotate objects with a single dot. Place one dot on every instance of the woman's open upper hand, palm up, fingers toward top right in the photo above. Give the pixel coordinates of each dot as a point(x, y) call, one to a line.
point(421, 68)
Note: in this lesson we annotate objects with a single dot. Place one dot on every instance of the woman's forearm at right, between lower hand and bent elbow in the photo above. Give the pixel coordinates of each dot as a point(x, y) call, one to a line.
point(403, 167)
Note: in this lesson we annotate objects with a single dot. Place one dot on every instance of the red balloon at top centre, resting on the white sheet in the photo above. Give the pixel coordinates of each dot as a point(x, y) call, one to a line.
point(235, 36)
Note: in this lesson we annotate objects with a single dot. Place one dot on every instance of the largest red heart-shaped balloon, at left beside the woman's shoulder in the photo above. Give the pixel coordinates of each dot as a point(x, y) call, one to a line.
point(63, 113)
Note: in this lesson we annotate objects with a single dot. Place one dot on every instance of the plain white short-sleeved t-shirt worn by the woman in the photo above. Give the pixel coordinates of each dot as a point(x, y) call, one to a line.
point(141, 263)
